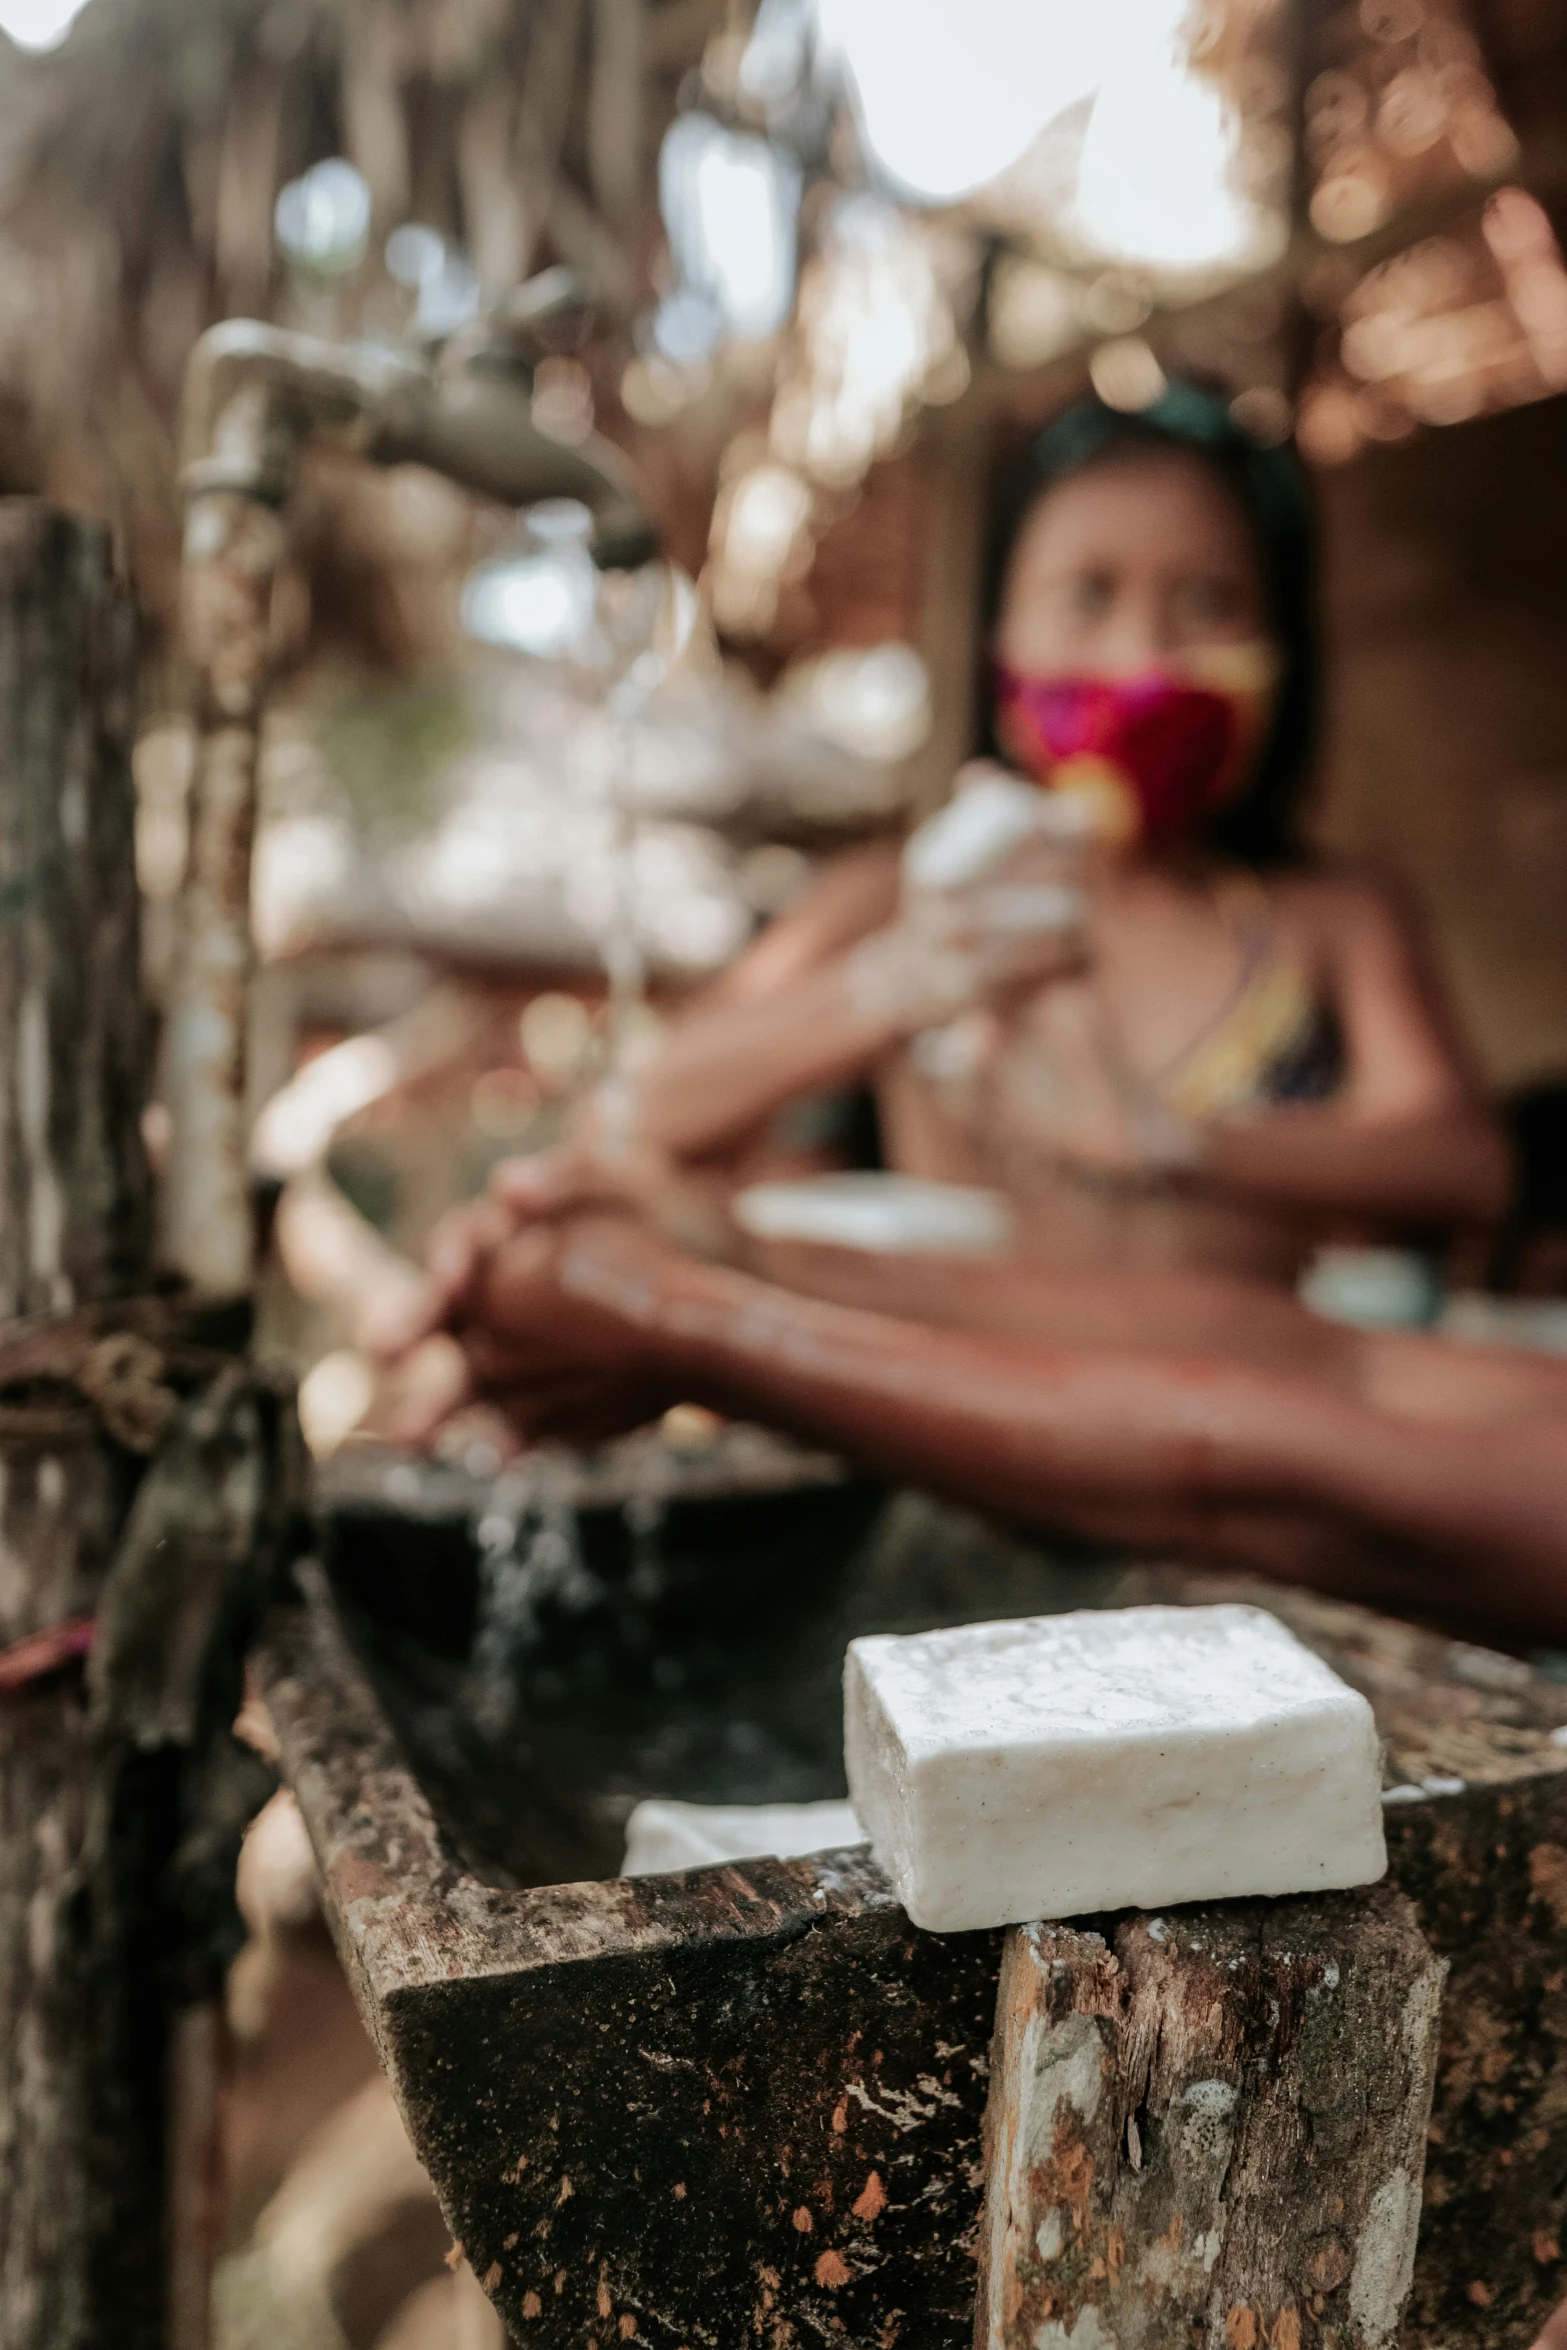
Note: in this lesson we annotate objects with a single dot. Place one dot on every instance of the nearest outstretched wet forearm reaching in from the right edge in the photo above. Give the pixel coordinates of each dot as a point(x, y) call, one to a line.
point(1108, 1439)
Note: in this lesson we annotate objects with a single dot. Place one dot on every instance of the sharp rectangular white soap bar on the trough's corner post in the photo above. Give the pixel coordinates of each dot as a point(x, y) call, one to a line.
point(1122, 1759)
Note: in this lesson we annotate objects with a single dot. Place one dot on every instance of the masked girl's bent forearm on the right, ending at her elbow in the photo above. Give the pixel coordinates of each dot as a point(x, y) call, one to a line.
point(1411, 1171)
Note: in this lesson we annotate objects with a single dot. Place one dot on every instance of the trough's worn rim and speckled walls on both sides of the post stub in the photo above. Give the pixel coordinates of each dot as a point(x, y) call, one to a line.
point(708, 2032)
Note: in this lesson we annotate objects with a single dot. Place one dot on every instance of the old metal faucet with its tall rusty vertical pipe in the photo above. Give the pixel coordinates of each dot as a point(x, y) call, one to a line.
point(255, 398)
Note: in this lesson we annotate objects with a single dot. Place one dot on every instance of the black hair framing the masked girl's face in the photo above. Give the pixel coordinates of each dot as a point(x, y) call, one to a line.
point(1270, 488)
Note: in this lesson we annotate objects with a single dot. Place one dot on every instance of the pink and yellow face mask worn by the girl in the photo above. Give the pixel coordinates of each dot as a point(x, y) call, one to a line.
point(1157, 753)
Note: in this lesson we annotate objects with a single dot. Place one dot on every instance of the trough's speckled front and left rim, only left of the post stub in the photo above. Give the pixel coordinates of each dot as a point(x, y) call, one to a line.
point(680, 2109)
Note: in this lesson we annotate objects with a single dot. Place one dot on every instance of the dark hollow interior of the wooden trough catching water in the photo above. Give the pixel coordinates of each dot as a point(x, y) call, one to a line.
point(565, 1641)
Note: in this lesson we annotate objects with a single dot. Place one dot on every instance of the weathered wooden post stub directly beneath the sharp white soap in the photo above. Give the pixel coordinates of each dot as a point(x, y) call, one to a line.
point(1209, 2126)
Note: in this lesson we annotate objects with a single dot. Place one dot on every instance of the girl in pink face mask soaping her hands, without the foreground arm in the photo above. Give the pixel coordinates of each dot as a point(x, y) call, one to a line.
point(1218, 1052)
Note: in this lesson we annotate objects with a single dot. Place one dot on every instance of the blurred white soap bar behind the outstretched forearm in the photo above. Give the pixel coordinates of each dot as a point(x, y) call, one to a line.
point(885, 1214)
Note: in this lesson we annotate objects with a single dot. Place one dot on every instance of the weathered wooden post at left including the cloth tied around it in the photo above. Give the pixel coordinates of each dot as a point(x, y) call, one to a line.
point(147, 1503)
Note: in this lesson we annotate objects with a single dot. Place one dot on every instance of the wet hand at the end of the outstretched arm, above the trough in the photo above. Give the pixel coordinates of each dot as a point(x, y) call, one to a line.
point(553, 1331)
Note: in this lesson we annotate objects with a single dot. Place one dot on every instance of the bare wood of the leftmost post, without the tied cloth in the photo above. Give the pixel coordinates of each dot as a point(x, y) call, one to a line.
point(81, 2013)
